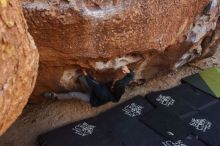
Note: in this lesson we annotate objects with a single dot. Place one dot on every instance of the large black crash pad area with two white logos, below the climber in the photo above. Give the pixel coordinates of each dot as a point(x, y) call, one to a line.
point(118, 126)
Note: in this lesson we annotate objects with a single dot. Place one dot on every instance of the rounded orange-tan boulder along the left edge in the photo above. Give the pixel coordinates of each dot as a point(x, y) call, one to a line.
point(18, 63)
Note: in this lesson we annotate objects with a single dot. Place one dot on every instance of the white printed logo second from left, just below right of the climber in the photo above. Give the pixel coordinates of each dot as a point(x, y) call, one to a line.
point(133, 110)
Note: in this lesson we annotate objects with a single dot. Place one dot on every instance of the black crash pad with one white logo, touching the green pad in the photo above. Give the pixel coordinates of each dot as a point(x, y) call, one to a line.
point(182, 100)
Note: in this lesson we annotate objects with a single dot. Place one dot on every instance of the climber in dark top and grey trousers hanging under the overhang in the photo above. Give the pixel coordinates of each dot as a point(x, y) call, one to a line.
point(96, 93)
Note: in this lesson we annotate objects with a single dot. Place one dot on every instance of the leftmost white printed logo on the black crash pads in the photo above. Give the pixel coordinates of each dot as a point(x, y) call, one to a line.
point(83, 129)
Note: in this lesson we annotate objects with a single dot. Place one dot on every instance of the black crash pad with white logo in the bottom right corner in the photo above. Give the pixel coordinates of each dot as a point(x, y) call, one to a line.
point(206, 124)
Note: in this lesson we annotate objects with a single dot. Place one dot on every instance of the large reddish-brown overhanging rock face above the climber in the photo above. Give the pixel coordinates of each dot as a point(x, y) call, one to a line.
point(102, 35)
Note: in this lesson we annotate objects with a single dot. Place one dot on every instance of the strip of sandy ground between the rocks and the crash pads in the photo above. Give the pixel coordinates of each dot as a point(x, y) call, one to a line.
point(39, 118)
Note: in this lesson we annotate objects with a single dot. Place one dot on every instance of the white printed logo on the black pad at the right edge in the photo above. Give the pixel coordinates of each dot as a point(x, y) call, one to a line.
point(201, 124)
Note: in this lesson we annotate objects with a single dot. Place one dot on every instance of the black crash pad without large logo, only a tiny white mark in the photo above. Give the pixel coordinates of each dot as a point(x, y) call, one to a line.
point(167, 124)
